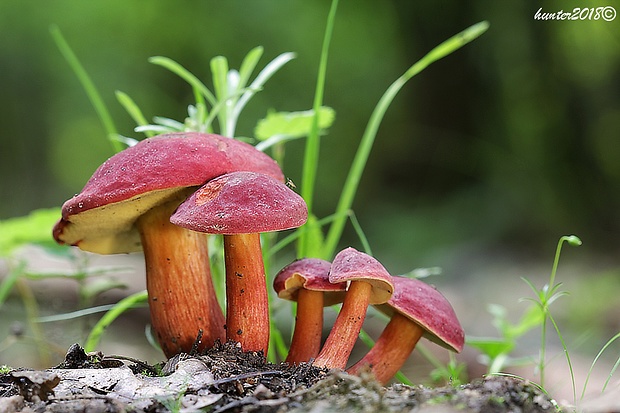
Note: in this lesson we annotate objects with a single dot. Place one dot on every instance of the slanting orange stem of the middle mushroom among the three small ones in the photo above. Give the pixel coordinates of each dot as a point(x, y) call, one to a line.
point(346, 329)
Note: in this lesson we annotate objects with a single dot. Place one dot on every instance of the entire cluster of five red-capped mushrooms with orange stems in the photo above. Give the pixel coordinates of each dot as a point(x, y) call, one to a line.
point(163, 195)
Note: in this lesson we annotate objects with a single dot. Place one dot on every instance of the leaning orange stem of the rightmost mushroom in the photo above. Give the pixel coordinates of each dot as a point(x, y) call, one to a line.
point(391, 350)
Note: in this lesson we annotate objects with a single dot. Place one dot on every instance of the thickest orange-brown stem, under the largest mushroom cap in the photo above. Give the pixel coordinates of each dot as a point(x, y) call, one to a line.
point(182, 298)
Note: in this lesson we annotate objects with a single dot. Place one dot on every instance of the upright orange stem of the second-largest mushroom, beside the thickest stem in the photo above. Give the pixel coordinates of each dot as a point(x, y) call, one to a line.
point(247, 306)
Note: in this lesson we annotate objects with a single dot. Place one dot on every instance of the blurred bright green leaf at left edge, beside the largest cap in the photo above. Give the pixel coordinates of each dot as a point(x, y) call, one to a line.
point(34, 228)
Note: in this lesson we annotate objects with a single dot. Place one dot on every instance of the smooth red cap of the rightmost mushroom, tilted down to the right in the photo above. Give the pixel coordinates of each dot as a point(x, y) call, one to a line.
point(424, 305)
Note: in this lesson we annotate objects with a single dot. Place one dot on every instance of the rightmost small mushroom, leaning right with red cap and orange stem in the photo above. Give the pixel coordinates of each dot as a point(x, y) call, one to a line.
point(416, 309)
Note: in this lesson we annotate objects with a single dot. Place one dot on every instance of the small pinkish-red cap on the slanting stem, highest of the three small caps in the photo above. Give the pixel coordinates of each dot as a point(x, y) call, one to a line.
point(352, 265)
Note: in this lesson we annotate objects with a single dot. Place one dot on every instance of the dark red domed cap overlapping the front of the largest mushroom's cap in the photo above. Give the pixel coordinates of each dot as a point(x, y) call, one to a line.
point(241, 203)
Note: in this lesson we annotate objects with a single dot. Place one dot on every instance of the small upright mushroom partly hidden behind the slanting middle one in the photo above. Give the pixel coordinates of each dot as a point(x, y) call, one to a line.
point(306, 281)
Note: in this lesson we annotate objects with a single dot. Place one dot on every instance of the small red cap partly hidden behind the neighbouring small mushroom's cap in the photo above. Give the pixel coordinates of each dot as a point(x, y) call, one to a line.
point(310, 274)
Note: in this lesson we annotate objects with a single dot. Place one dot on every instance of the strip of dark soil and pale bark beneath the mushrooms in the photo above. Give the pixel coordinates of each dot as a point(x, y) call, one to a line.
point(225, 379)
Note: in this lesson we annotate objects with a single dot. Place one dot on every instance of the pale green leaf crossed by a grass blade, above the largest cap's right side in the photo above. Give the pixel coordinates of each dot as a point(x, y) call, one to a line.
point(292, 124)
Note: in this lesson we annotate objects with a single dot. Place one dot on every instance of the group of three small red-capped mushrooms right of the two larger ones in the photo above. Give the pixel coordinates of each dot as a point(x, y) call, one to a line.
point(356, 279)
